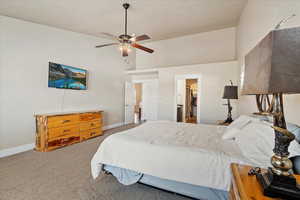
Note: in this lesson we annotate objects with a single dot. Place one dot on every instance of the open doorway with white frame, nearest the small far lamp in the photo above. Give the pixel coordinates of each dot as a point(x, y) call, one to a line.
point(187, 98)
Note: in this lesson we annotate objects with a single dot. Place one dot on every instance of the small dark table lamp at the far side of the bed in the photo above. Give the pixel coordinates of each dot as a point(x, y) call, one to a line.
point(230, 92)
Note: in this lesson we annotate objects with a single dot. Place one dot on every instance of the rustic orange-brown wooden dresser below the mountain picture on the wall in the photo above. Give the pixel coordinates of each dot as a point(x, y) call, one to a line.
point(61, 129)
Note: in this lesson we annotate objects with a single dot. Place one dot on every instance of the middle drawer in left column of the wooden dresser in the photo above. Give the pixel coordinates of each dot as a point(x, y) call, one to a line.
point(63, 131)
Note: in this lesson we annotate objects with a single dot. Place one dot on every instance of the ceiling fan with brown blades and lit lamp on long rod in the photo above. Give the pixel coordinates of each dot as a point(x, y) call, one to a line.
point(126, 41)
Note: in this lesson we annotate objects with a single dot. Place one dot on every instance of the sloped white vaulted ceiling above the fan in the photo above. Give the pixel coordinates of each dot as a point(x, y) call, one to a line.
point(161, 19)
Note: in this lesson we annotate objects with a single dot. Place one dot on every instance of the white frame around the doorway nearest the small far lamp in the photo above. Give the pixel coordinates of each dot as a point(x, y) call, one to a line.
point(199, 84)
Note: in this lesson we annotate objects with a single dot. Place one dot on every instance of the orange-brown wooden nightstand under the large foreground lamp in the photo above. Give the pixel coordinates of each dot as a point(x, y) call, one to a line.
point(245, 187)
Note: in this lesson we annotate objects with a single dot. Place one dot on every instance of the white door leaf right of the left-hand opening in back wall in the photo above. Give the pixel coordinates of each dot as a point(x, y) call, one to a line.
point(150, 100)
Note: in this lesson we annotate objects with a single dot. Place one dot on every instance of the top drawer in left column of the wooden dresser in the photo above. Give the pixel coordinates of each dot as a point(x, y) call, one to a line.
point(65, 120)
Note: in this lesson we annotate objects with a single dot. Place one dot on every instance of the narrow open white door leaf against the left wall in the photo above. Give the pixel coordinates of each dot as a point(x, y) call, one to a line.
point(129, 102)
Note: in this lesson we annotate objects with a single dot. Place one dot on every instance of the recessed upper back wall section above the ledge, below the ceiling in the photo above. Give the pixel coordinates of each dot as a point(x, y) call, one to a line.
point(209, 47)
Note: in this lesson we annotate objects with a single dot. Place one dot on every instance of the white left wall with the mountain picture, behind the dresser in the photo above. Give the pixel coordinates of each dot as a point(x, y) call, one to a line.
point(26, 49)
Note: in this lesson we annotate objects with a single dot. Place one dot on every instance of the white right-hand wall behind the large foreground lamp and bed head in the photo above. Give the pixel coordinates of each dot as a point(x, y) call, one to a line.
point(258, 18)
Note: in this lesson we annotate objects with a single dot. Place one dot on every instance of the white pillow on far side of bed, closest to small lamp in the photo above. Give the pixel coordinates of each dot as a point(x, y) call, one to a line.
point(236, 126)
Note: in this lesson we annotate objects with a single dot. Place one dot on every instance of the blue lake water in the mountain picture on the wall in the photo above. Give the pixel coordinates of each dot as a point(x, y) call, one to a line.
point(66, 83)
